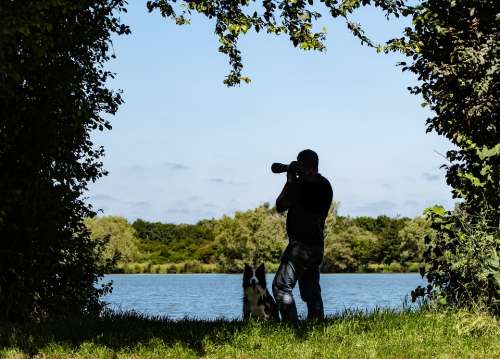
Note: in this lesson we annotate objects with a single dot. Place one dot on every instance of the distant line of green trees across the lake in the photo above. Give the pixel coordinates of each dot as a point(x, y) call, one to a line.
point(352, 244)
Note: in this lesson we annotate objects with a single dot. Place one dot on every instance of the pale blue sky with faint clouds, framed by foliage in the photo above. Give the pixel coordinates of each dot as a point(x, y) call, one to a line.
point(185, 147)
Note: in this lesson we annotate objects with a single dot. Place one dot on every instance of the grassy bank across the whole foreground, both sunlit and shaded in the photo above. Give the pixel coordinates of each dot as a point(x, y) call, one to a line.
point(382, 334)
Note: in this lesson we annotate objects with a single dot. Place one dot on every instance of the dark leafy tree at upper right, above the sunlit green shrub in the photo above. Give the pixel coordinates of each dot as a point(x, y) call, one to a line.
point(455, 48)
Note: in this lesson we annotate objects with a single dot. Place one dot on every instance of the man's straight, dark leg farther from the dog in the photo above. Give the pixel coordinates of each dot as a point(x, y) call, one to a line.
point(310, 292)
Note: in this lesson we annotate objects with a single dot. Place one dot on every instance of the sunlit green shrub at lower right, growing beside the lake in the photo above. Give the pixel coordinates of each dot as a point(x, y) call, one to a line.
point(462, 261)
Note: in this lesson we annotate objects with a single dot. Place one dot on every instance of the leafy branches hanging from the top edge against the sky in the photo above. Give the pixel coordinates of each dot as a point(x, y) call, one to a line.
point(294, 18)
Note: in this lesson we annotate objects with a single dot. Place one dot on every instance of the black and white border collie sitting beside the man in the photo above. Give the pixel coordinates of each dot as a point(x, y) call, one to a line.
point(257, 301)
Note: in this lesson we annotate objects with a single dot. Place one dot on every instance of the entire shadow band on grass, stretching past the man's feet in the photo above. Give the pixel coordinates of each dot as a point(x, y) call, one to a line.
point(126, 330)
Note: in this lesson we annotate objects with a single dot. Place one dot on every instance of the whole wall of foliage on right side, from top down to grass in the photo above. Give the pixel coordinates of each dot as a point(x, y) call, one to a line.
point(454, 47)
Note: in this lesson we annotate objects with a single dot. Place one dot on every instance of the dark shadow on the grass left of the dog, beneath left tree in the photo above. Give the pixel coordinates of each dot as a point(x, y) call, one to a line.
point(116, 331)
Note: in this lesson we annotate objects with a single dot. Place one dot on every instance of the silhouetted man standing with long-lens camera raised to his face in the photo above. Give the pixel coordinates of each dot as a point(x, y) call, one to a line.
point(307, 196)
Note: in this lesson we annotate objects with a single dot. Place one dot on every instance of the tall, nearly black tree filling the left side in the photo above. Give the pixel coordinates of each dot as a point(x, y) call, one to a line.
point(52, 95)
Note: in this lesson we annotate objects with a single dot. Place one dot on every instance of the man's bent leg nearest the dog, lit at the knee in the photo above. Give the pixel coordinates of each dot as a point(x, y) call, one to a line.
point(283, 283)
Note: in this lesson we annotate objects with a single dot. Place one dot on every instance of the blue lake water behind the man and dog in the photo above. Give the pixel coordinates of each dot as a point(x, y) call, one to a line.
point(210, 296)
